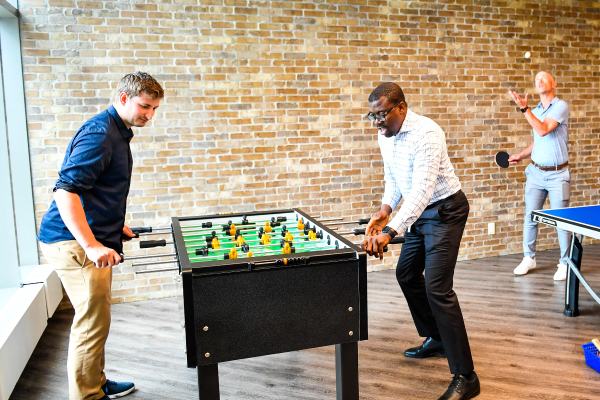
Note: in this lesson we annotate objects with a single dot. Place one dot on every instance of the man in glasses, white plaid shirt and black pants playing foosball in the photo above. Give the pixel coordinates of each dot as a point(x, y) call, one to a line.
point(433, 217)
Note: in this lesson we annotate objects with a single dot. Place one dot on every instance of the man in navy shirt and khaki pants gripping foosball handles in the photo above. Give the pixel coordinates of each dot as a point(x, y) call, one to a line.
point(81, 233)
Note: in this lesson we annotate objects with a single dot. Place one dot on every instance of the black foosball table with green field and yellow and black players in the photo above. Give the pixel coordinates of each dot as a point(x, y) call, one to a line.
point(265, 283)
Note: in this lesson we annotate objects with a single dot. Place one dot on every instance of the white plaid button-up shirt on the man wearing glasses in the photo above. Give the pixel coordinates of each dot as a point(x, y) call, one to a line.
point(417, 167)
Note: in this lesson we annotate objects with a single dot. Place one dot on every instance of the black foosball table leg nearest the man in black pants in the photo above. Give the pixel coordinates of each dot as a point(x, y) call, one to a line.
point(346, 371)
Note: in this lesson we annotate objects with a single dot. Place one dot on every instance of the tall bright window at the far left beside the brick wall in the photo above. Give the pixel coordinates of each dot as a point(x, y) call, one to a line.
point(17, 218)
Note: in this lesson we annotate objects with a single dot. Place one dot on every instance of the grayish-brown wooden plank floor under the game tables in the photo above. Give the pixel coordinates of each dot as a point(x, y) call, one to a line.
point(523, 346)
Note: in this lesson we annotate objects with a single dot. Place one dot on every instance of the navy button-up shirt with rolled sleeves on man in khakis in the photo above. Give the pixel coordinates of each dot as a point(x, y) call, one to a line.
point(97, 167)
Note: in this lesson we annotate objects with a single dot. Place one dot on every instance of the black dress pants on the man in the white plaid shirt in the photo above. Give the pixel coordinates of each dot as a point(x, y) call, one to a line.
point(425, 273)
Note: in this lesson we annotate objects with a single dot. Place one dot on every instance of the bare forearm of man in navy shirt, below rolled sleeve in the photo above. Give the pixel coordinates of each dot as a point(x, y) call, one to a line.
point(71, 211)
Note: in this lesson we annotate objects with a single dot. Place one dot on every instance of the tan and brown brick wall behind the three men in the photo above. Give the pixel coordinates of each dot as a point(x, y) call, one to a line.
point(265, 102)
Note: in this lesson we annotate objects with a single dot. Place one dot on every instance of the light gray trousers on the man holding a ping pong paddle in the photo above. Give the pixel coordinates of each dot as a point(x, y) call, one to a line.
point(541, 184)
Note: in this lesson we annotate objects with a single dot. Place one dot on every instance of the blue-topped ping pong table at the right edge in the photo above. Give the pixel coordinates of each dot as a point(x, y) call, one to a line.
point(582, 221)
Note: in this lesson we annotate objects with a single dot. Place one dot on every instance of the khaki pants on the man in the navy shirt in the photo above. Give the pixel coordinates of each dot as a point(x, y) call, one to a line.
point(89, 289)
